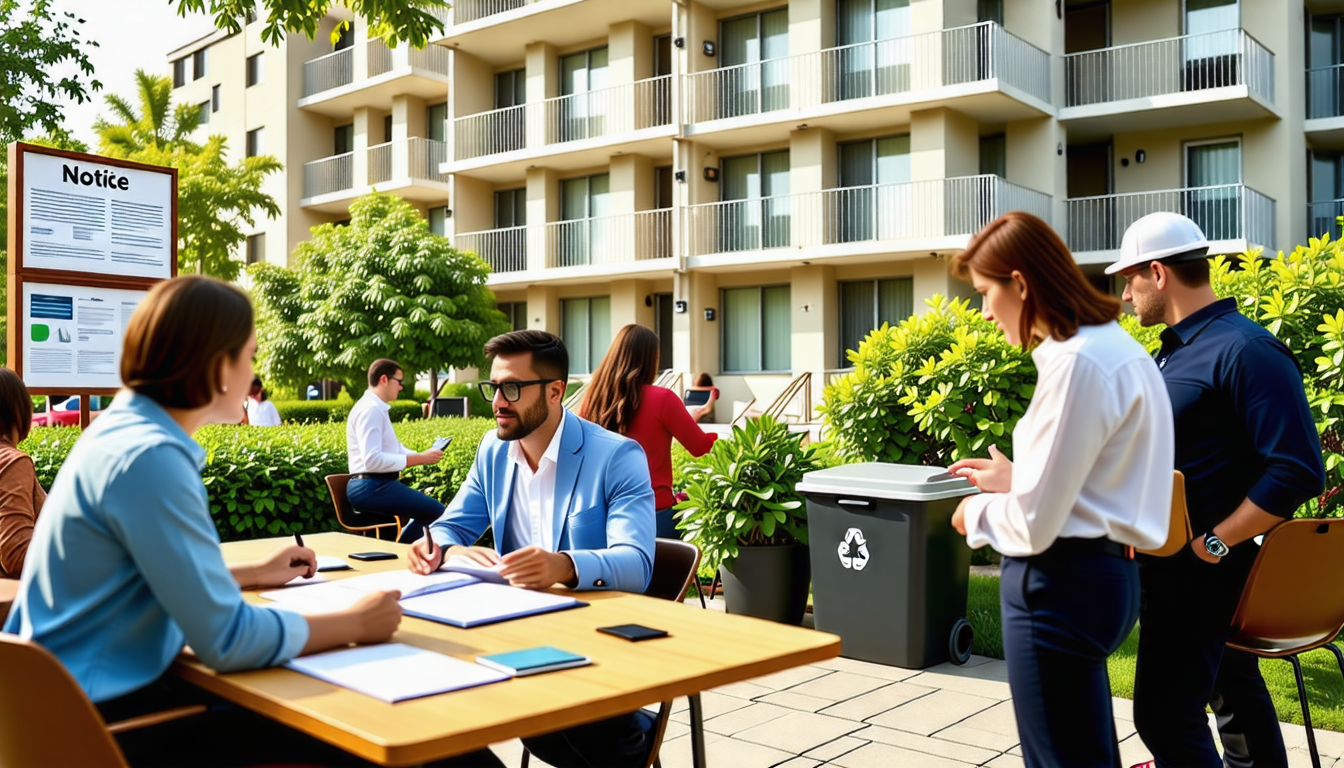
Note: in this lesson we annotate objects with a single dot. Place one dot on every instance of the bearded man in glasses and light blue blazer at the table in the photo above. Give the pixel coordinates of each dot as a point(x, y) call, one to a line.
point(571, 504)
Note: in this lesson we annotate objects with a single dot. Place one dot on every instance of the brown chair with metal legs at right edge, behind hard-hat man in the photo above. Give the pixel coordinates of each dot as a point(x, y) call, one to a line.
point(1294, 601)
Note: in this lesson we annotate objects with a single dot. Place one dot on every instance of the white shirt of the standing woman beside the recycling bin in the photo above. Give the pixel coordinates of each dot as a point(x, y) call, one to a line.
point(1093, 454)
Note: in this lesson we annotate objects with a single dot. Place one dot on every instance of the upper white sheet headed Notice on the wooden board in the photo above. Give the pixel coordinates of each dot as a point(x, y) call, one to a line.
point(83, 216)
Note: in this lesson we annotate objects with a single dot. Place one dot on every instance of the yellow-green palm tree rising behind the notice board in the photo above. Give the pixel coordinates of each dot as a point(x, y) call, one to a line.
point(217, 201)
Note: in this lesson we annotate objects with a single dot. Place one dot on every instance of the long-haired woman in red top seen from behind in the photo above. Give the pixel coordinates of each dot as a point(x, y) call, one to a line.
point(623, 399)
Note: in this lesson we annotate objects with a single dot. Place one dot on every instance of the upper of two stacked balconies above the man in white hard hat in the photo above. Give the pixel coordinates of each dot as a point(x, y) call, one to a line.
point(1193, 80)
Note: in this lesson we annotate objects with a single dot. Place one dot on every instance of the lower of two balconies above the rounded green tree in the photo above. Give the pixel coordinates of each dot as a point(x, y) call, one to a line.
point(408, 167)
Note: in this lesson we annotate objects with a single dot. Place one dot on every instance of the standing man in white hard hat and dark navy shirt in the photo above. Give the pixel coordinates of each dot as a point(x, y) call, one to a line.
point(1248, 447)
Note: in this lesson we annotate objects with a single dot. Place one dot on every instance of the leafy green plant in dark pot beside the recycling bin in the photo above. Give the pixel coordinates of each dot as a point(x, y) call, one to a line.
point(749, 523)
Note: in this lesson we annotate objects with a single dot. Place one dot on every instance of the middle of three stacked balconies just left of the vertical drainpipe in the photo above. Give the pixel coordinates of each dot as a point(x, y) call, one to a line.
point(584, 124)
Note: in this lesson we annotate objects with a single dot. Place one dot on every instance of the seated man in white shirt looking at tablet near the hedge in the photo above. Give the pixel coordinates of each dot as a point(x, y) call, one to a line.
point(377, 458)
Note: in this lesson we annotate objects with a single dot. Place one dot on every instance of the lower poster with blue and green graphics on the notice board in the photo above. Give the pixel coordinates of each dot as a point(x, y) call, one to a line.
point(75, 334)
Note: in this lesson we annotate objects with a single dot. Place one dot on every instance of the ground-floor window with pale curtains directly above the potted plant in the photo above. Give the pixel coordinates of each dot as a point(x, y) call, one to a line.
point(757, 330)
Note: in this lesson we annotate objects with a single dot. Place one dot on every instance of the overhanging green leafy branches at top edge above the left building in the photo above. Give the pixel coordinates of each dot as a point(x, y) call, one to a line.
point(394, 21)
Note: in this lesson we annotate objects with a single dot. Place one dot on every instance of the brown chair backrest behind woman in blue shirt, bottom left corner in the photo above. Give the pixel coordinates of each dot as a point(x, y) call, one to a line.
point(45, 716)
